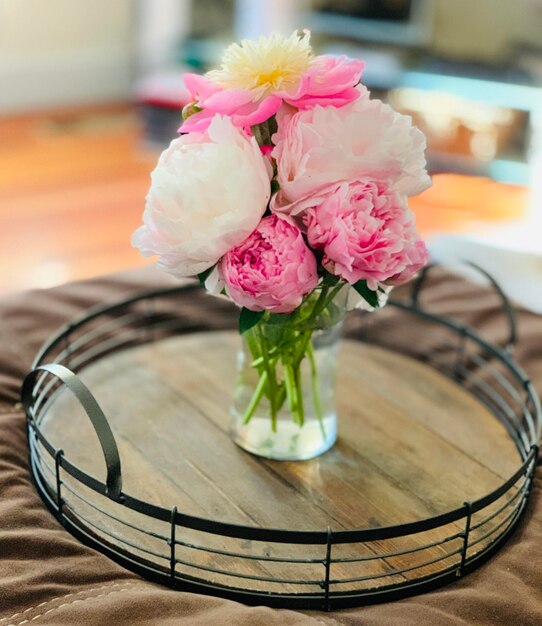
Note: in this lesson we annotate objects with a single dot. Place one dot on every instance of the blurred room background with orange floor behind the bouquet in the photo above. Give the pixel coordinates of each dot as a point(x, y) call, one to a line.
point(90, 92)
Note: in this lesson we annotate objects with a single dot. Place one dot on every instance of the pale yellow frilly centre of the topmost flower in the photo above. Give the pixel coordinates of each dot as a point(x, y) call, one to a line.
point(270, 64)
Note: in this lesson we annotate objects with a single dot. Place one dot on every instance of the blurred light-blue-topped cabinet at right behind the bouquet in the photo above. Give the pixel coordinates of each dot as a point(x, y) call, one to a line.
point(478, 121)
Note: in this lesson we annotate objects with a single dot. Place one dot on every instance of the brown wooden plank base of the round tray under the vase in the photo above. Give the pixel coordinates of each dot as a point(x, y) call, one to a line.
point(412, 444)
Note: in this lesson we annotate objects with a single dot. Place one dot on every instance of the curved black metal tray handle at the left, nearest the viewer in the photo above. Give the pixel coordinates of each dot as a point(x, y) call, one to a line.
point(94, 413)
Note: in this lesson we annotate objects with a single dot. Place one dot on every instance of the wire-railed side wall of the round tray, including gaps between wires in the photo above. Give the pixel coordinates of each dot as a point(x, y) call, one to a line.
point(464, 542)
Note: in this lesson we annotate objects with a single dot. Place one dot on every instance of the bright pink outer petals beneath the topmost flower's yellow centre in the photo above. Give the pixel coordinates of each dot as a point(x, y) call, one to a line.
point(329, 81)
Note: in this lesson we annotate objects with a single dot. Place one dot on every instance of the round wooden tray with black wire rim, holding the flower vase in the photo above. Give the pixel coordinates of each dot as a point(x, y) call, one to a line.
point(422, 468)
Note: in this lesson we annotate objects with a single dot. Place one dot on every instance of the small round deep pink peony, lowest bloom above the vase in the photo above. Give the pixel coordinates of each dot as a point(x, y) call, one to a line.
point(272, 270)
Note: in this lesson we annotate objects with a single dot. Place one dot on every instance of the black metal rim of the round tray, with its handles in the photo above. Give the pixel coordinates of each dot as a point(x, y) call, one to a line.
point(38, 394)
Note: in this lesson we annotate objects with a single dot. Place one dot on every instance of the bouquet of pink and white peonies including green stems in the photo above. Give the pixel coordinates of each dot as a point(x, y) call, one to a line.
point(287, 187)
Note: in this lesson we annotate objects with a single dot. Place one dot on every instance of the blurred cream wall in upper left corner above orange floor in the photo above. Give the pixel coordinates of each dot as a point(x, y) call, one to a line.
point(61, 52)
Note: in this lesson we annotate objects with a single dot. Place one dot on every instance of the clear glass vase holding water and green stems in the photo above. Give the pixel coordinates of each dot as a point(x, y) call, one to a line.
point(284, 405)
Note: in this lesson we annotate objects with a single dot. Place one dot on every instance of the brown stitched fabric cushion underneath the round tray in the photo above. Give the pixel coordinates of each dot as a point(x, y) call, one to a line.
point(48, 577)
